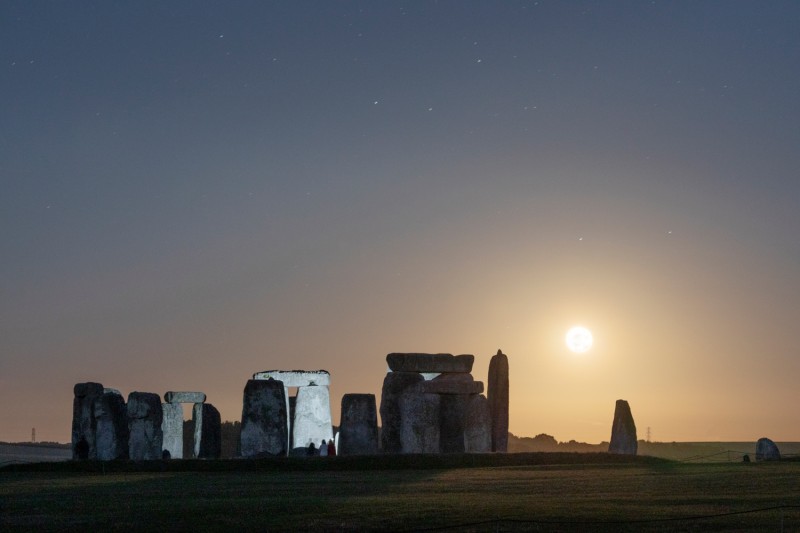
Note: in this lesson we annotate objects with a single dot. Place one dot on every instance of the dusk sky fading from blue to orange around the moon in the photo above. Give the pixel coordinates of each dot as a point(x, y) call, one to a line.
point(193, 192)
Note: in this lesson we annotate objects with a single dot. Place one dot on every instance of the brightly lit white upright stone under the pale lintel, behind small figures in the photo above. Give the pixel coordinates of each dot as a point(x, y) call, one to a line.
point(312, 416)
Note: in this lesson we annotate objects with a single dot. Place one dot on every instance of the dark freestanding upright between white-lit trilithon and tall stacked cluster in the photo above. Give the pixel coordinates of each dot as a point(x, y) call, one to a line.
point(358, 430)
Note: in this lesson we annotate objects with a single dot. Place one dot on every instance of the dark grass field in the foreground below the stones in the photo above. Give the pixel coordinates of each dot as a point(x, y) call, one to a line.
point(529, 492)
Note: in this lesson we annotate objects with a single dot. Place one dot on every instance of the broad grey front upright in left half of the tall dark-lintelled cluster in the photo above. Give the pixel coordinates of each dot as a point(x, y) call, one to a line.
point(419, 421)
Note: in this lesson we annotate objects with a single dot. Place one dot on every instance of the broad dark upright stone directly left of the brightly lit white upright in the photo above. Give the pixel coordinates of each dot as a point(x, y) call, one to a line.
point(264, 428)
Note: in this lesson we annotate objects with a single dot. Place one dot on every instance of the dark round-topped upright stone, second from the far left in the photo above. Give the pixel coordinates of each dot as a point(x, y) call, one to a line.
point(111, 418)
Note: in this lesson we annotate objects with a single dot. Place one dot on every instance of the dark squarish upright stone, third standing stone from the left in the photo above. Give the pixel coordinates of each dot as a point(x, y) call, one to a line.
point(144, 426)
